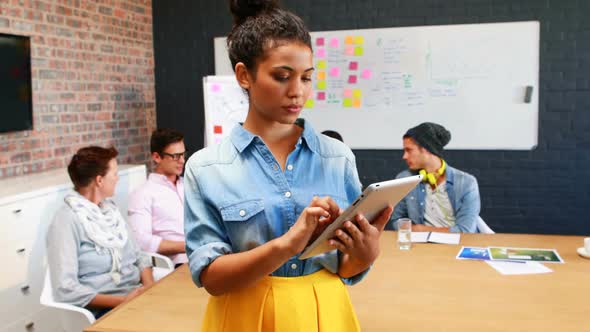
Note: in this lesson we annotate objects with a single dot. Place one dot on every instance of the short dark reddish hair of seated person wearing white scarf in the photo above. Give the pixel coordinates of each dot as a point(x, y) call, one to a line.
point(88, 163)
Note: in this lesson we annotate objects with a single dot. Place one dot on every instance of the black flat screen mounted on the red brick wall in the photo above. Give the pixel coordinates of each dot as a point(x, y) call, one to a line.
point(16, 110)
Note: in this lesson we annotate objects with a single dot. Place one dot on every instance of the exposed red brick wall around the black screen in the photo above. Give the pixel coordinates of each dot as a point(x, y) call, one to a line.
point(93, 80)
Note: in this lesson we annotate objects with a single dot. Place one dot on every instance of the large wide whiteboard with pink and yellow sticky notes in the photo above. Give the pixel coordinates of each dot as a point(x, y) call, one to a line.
point(372, 85)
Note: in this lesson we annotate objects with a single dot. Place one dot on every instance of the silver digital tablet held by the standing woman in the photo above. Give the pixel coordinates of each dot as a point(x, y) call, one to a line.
point(370, 203)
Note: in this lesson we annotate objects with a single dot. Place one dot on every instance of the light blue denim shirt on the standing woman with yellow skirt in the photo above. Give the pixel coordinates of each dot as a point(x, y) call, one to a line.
point(237, 197)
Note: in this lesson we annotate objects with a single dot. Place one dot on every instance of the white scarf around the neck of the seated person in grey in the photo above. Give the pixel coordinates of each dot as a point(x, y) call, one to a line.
point(104, 225)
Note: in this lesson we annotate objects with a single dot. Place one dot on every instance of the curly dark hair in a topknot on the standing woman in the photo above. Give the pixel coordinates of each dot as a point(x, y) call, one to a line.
point(258, 26)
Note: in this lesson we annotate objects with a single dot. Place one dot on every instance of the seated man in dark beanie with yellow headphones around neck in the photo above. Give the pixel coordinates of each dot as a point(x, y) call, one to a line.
point(448, 199)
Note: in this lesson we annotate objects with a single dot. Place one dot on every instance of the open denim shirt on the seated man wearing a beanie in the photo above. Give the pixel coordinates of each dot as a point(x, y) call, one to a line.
point(464, 196)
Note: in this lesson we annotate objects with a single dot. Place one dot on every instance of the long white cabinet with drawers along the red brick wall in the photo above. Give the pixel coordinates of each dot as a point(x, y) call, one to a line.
point(27, 206)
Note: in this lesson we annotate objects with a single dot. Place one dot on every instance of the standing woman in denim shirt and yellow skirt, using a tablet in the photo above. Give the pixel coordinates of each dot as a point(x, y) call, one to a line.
point(256, 199)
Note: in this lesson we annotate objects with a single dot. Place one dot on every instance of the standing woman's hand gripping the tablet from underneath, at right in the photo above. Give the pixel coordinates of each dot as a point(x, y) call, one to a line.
point(362, 242)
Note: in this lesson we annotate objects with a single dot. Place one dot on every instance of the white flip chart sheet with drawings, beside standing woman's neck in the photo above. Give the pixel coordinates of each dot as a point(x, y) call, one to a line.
point(226, 105)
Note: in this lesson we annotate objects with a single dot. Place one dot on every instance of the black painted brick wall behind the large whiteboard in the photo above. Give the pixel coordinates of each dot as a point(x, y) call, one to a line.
point(546, 190)
